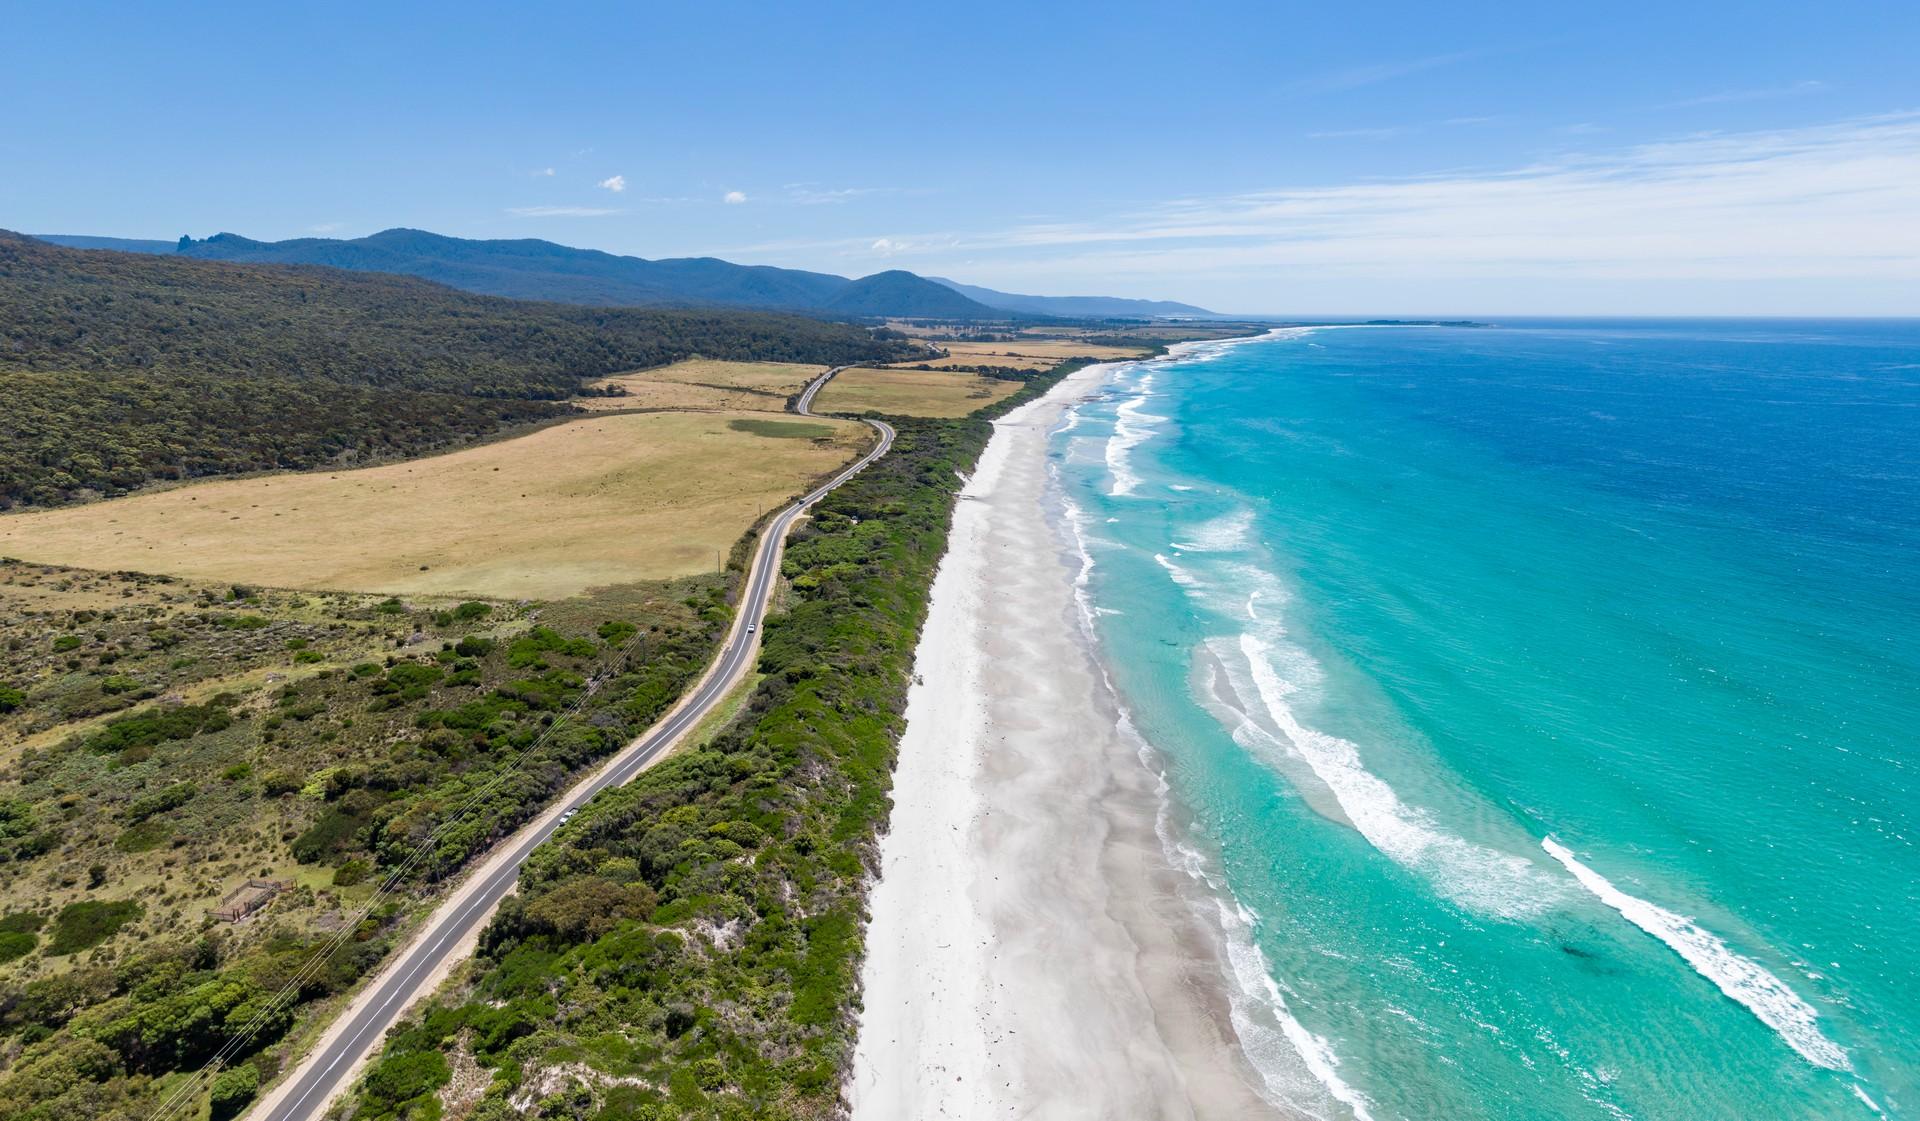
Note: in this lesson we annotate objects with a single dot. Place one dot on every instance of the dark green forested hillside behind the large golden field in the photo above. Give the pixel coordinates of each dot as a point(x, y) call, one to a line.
point(120, 370)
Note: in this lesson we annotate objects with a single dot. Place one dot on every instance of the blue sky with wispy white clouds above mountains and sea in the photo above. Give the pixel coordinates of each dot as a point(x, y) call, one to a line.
point(1255, 158)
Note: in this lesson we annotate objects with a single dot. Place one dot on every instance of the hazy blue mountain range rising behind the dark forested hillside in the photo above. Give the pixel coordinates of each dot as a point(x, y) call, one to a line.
point(535, 270)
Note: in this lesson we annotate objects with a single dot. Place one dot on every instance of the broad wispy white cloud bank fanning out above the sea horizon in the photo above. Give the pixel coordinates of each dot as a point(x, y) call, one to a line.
point(1835, 203)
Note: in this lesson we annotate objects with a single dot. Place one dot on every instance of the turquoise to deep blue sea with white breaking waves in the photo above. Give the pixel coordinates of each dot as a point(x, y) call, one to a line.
point(1541, 704)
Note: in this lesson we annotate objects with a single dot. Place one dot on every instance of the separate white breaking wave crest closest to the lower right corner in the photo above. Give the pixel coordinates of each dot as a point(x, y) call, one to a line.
point(1740, 978)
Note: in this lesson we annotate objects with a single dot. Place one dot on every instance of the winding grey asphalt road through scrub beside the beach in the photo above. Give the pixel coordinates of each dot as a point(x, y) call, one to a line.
point(325, 1074)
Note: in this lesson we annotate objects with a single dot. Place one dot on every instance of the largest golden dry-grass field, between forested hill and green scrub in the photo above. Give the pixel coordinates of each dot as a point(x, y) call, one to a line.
point(579, 506)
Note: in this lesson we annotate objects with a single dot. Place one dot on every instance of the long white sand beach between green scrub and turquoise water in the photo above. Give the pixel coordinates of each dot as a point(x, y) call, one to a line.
point(1032, 947)
